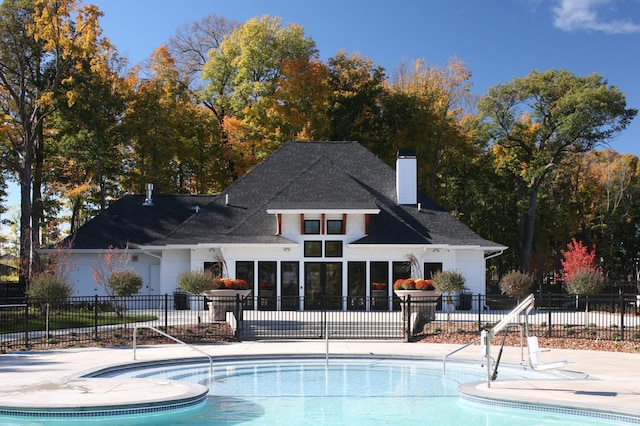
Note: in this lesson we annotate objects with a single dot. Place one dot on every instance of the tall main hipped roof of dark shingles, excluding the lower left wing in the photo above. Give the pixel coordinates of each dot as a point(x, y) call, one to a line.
point(324, 176)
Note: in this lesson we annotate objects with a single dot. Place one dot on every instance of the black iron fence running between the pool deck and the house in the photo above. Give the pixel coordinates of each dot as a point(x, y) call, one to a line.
point(109, 321)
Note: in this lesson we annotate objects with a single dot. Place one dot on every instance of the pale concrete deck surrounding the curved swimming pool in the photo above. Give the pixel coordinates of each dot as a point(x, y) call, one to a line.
point(604, 381)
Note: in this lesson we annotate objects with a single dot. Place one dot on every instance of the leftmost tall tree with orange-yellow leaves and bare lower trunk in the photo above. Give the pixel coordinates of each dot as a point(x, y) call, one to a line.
point(40, 43)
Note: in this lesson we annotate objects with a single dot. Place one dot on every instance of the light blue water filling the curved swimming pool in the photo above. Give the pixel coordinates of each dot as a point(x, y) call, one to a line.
point(344, 392)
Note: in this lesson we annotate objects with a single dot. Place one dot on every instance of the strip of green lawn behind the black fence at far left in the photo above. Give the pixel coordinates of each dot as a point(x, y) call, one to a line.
point(66, 320)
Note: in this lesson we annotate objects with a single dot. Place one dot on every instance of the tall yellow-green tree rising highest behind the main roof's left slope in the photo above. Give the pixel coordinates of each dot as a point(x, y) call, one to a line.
point(242, 78)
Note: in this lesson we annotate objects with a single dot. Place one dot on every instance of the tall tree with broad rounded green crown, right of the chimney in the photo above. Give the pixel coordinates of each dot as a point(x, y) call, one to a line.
point(537, 121)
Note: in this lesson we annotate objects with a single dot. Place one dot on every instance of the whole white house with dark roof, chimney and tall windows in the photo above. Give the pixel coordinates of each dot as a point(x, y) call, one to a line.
point(312, 216)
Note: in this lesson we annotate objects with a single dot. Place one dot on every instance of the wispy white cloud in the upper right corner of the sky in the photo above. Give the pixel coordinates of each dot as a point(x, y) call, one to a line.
point(571, 15)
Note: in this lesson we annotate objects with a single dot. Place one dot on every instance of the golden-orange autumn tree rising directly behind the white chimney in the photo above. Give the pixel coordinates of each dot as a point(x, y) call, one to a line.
point(435, 103)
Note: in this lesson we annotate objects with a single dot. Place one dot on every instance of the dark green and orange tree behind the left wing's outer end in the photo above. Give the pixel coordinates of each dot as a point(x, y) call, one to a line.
point(86, 152)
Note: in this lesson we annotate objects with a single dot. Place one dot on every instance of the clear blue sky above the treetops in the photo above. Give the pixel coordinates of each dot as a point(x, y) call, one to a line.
point(497, 39)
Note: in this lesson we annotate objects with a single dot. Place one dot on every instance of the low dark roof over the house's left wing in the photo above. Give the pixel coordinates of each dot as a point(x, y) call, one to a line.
point(129, 222)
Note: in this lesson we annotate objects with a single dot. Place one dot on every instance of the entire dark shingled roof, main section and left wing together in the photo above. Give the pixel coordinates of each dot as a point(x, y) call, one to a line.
point(299, 175)
